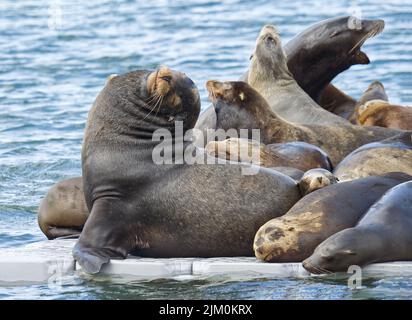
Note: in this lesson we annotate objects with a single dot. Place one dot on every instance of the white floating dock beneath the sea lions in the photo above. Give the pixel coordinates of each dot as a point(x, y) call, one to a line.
point(42, 261)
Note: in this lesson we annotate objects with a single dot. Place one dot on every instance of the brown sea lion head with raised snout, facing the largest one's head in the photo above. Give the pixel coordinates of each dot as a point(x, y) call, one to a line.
point(237, 105)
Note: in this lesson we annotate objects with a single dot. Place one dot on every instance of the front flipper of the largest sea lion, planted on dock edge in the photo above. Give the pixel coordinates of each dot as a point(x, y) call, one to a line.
point(106, 235)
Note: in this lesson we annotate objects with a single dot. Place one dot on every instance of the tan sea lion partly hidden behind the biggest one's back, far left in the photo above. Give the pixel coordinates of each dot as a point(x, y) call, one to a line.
point(63, 211)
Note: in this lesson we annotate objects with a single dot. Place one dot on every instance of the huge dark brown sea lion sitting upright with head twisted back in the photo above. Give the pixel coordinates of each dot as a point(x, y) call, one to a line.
point(152, 209)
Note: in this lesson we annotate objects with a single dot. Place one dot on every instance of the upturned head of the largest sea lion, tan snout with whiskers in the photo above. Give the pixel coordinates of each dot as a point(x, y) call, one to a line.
point(173, 93)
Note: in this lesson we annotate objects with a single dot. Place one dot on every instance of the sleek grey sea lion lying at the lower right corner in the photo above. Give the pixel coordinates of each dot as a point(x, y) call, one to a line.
point(383, 234)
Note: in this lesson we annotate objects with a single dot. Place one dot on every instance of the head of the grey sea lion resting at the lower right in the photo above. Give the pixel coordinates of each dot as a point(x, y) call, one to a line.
point(341, 250)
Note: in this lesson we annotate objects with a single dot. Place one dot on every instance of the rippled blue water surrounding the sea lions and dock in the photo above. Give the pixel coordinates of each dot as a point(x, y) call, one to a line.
point(55, 59)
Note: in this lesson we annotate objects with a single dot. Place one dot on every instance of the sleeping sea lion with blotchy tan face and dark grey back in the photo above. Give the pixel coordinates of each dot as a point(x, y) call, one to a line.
point(320, 214)
